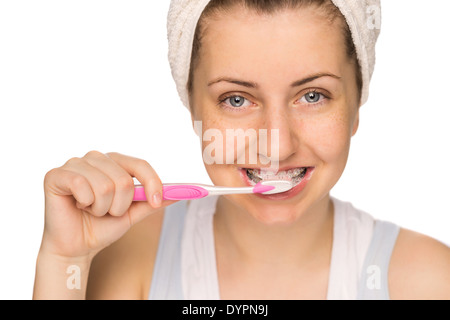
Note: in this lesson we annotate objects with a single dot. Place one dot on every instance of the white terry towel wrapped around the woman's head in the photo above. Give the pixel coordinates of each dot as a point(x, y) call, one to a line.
point(362, 16)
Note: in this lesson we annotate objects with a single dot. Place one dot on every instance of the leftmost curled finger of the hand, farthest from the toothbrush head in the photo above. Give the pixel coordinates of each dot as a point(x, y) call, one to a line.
point(63, 182)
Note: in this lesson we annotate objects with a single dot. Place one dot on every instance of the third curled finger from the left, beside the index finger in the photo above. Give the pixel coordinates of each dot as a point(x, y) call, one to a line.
point(123, 182)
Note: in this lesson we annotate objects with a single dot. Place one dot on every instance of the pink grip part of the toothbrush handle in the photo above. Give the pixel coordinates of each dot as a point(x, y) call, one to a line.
point(174, 192)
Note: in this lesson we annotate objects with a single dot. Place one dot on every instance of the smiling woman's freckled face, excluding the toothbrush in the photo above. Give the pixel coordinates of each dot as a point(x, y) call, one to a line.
point(287, 73)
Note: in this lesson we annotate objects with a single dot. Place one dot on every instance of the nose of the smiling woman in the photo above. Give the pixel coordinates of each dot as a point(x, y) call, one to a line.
point(282, 132)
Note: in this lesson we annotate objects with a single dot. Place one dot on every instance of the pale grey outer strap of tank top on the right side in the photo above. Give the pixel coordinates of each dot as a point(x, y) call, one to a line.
point(373, 284)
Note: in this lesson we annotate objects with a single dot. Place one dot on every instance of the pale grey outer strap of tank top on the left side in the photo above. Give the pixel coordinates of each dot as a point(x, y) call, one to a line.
point(166, 279)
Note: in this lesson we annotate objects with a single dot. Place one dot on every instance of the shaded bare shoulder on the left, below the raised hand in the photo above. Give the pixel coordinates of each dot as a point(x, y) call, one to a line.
point(124, 269)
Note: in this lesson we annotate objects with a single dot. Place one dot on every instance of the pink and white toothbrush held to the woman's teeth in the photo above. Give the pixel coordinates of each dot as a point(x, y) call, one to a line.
point(183, 191)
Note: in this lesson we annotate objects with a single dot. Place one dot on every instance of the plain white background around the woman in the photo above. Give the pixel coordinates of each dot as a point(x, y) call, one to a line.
point(89, 75)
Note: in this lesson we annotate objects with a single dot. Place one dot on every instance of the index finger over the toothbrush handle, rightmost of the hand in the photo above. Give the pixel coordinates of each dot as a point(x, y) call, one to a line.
point(144, 172)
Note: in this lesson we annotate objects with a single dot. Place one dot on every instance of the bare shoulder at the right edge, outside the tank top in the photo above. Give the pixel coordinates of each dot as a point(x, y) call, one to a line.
point(419, 268)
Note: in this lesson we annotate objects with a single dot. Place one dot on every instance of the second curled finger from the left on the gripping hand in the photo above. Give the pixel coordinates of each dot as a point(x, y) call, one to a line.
point(101, 184)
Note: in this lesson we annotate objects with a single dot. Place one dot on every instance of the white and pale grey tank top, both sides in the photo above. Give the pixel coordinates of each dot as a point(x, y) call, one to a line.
point(185, 266)
